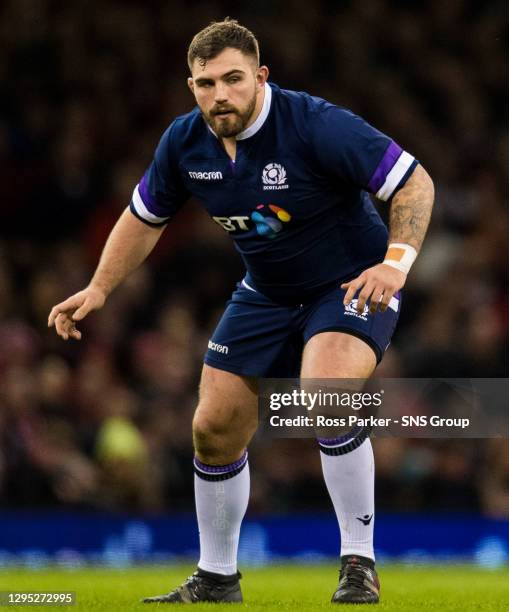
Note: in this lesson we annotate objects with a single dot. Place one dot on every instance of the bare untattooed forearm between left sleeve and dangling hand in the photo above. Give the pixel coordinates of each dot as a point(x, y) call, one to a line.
point(128, 245)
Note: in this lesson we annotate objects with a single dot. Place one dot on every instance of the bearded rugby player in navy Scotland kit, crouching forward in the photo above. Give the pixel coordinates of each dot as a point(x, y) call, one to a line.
point(287, 175)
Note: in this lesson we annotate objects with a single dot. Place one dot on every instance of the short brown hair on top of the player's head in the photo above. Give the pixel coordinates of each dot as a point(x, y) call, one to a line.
point(218, 36)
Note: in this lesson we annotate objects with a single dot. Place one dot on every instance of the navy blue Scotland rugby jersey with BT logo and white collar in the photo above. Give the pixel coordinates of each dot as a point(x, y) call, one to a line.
point(295, 200)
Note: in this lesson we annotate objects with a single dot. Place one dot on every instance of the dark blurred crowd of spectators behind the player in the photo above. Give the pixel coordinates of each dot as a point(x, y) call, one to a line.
point(85, 92)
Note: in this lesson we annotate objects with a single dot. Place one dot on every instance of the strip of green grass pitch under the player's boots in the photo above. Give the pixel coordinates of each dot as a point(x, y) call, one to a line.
point(287, 587)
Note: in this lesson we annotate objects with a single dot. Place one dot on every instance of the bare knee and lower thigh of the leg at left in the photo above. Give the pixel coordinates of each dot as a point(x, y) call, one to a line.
point(227, 412)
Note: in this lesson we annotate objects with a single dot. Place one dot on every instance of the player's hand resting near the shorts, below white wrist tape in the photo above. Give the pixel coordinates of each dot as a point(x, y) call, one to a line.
point(376, 285)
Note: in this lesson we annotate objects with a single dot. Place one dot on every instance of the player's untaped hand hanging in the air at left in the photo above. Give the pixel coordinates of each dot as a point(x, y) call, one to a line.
point(75, 308)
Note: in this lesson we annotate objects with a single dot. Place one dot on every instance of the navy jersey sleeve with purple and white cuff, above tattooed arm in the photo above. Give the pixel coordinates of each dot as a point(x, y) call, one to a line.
point(355, 152)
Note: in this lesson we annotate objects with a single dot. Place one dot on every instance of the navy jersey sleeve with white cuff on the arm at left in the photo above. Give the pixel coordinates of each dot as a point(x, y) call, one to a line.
point(160, 192)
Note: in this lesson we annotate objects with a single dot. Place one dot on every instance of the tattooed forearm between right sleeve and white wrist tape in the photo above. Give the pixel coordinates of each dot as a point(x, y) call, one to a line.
point(411, 210)
